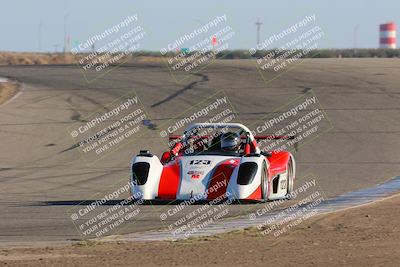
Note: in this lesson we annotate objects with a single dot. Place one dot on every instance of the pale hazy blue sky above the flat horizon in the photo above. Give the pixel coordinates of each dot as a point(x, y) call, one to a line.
point(163, 21)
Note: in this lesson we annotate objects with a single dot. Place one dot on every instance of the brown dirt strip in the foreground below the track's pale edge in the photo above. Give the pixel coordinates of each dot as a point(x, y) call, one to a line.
point(368, 235)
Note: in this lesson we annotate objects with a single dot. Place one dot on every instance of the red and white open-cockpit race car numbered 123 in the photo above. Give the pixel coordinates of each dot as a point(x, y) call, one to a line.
point(199, 167)
